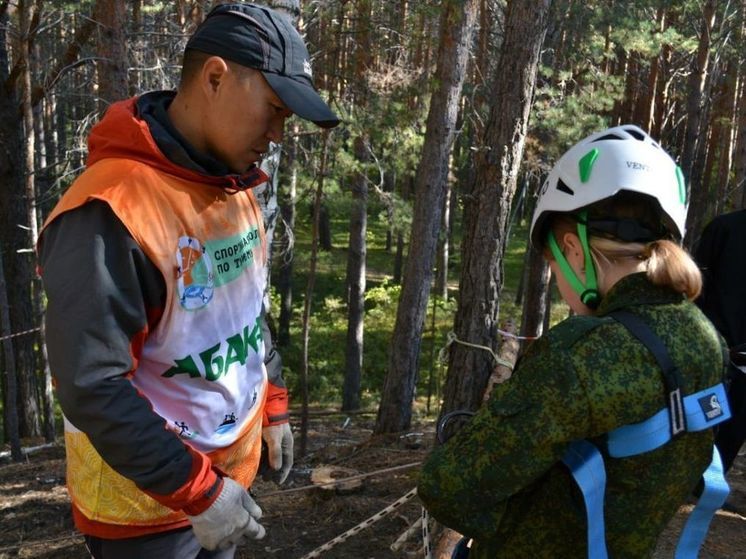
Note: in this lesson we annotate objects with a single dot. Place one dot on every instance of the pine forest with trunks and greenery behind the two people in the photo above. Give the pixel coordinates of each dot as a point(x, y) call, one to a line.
point(404, 230)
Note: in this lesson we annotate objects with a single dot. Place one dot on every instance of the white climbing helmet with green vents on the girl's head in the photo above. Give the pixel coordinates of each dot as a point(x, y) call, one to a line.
point(605, 163)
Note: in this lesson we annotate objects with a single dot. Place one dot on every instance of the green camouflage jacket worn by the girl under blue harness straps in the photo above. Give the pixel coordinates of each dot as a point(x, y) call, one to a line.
point(500, 481)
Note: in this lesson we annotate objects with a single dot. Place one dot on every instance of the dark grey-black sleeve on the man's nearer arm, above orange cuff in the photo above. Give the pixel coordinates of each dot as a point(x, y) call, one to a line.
point(102, 291)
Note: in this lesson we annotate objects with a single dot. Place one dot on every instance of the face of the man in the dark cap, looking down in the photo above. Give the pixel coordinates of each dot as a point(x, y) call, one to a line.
point(242, 117)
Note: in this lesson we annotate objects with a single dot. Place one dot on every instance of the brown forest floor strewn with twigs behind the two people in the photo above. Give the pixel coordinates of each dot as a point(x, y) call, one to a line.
point(35, 519)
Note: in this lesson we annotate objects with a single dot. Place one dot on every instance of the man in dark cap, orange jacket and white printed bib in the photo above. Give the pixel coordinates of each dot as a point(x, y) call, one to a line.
point(153, 263)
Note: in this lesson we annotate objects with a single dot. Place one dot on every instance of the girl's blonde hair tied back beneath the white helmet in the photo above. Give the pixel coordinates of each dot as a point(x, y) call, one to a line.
point(665, 263)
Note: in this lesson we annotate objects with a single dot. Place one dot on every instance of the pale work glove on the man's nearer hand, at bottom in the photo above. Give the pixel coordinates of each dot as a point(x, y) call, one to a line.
point(231, 518)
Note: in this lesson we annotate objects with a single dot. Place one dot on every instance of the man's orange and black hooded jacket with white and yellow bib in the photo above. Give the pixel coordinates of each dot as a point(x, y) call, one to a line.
point(154, 273)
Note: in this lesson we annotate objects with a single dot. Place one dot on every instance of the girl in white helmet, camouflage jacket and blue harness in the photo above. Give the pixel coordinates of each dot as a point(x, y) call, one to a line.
point(604, 428)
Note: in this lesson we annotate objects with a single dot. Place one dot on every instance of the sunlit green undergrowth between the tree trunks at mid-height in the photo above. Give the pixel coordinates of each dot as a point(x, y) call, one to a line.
point(328, 325)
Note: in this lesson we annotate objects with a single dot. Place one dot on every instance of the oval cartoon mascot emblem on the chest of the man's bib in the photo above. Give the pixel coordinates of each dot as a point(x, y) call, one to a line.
point(195, 280)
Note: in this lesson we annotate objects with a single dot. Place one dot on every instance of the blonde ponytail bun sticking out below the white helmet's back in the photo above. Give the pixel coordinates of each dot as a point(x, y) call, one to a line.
point(669, 265)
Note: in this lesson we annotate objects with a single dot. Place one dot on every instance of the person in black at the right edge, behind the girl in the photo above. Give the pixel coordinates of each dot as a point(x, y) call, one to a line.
point(720, 254)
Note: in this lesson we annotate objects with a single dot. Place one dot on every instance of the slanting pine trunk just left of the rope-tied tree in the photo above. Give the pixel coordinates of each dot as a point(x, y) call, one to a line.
point(456, 26)
